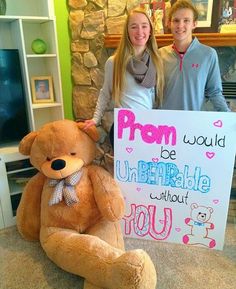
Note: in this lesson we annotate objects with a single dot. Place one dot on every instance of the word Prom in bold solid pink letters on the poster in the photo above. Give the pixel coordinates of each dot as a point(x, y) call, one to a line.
point(149, 133)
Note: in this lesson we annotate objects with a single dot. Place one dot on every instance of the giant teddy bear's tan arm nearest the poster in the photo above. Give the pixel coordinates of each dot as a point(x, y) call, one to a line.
point(107, 194)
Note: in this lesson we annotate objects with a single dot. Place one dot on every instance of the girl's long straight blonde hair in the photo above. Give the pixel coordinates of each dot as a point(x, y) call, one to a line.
point(125, 51)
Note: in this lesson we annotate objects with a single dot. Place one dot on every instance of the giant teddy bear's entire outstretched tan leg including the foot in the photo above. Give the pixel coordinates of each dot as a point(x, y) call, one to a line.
point(97, 261)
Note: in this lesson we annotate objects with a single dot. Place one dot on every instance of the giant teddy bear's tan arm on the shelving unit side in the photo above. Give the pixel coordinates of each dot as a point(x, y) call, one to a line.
point(28, 211)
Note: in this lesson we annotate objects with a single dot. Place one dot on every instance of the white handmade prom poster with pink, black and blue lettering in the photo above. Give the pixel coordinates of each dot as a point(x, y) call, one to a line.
point(175, 170)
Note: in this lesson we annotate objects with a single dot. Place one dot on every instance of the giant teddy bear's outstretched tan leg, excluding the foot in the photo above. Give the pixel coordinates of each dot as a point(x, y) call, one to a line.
point(80, 254)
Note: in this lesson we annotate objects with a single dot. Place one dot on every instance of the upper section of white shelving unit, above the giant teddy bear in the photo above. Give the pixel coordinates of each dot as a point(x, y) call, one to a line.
point(25, 21)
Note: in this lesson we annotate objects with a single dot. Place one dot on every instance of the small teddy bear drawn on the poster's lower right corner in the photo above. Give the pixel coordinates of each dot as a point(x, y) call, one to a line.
point(200, 226)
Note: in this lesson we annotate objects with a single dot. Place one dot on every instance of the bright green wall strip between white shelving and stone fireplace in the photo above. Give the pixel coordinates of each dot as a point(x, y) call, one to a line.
point(63, 36)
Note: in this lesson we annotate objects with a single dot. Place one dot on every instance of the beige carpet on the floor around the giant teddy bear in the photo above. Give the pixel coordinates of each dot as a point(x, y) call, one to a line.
point(23, 265)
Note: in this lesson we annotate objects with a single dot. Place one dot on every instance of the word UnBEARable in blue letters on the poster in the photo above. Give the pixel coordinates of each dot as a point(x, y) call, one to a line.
point(163, 174)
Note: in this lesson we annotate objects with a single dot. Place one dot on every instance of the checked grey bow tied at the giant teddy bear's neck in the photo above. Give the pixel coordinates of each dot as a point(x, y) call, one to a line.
point(65, 188)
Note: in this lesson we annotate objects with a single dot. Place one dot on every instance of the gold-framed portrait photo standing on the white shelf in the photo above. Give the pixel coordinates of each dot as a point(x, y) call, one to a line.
point(42, 89)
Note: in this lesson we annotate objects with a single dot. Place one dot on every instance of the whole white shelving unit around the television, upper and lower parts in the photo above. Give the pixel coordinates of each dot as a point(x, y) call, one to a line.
point(25, 21)
